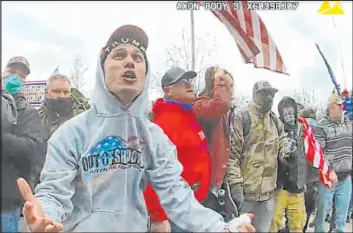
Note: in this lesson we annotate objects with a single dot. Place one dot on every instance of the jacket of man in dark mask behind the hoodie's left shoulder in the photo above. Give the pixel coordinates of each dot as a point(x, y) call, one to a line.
point(52, 120)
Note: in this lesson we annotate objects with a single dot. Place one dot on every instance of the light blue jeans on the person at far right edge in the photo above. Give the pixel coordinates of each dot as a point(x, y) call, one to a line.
point(342, 192)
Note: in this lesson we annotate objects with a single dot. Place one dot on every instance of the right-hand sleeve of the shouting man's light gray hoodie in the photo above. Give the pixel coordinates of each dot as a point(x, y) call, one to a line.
point(175, 194)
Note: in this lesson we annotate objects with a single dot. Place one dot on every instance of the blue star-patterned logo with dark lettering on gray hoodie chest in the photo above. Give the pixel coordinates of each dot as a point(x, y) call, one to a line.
point(113, 153)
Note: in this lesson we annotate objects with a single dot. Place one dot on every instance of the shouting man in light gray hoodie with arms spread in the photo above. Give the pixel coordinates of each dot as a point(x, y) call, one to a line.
point(99, 162)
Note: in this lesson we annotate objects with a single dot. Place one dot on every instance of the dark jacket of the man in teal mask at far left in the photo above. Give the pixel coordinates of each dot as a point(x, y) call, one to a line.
point(22, 155)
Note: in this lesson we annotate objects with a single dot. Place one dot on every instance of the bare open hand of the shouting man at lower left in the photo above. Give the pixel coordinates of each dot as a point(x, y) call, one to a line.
point(33, 211)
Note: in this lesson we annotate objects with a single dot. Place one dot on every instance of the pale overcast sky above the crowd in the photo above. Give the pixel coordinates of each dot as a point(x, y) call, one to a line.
point(49, 34)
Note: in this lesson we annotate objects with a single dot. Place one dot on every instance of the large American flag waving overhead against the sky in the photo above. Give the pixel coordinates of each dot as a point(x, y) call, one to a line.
point(250, 33)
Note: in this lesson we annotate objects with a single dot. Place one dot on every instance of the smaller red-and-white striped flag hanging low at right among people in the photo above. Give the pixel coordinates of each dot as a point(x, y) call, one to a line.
point(314, 153)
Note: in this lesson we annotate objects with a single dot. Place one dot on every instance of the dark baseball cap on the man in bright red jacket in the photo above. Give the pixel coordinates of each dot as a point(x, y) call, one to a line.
point(175, 74)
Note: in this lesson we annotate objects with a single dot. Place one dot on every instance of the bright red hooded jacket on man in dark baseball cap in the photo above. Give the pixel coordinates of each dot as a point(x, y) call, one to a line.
point(180, 125)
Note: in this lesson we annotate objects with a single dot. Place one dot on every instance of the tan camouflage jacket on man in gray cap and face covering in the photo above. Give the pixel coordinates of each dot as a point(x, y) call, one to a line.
point(253, 160)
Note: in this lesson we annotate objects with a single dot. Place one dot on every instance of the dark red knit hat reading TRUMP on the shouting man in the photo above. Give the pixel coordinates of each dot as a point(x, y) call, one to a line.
point(126, 34)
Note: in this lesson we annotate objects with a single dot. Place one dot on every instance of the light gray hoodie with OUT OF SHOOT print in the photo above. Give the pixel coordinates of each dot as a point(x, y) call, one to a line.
point(98, 163)
